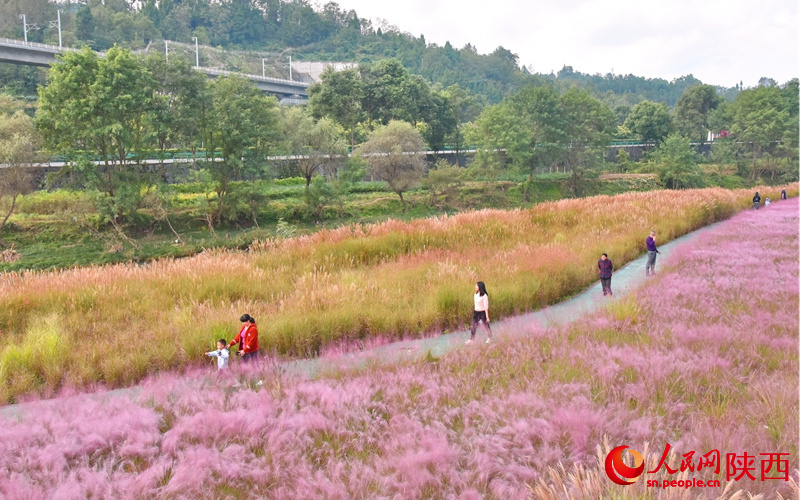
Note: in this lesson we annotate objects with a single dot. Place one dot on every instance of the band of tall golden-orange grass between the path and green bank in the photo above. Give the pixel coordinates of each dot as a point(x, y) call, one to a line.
point(393, 279)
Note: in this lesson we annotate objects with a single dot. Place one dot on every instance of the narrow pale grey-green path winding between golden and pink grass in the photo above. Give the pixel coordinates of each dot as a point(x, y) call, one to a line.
point(625, 280)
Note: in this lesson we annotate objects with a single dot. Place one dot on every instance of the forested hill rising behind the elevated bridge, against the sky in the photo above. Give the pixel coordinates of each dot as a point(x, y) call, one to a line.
point(296, 28)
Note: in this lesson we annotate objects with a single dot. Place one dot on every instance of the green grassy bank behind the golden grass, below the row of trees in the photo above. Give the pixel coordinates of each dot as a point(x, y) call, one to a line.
point(60, 229)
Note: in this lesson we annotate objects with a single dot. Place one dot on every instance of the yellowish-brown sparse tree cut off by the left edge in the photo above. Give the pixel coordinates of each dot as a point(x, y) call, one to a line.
point(19, 143)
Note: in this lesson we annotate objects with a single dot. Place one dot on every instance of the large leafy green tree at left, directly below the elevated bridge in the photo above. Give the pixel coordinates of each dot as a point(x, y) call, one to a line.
point(100, 107)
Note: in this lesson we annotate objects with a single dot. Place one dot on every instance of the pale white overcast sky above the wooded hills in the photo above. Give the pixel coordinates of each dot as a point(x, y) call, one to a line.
point(720, 42)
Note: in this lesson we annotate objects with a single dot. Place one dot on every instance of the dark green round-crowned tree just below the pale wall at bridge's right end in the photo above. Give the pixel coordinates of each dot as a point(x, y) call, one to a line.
point(338, 95)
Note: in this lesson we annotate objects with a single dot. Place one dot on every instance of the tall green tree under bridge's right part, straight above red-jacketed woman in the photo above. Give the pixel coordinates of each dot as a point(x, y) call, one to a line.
point(240, 123)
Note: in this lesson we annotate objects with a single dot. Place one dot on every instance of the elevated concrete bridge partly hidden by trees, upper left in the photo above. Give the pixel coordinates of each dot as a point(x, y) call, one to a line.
point(39, 54)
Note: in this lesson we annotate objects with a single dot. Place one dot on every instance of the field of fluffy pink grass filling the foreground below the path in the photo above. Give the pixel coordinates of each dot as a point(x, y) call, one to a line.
point(705, 356)
